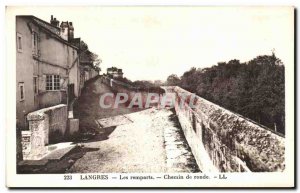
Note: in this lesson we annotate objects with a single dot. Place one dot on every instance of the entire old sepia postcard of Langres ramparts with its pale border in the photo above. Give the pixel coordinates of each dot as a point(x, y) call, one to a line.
point(150, 96)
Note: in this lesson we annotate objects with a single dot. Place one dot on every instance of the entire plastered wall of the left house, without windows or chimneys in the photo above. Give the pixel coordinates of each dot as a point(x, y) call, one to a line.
point(53, 58)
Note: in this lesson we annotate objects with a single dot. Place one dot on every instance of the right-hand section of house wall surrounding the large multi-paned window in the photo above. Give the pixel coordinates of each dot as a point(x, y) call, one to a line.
point(55, 53)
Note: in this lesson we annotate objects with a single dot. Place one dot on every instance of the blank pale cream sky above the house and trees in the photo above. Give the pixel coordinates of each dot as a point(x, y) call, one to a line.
point(150, 43)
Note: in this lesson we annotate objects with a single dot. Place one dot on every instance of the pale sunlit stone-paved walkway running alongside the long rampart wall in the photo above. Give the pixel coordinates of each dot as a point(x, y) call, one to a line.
point(145, 141)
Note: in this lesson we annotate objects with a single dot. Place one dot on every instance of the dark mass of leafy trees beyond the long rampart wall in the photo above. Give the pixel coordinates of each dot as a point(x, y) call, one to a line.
point(254, 89)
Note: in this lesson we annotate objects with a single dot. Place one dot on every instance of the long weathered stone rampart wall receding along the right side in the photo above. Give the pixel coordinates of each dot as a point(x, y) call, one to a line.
point(227, 142)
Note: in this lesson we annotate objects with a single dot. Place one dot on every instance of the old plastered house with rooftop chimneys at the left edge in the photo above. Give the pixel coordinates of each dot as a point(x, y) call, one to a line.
point(47, 65)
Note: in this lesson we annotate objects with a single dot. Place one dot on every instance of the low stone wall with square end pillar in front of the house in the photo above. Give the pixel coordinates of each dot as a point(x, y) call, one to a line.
point(46, 126)
